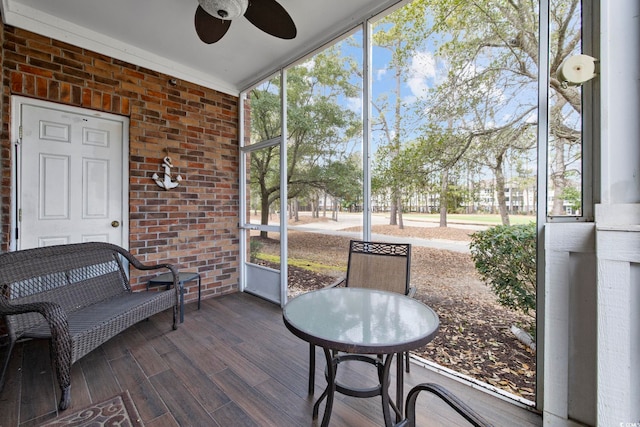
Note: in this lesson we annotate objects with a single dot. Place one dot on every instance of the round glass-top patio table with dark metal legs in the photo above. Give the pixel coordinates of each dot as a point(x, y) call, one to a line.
point(362, 321)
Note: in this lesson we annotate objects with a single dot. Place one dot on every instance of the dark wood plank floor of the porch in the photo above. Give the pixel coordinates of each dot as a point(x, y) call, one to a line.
point(232, 363)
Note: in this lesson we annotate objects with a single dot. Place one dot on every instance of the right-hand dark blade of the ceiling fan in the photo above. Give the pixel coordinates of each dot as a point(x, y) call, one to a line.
point(272, 18)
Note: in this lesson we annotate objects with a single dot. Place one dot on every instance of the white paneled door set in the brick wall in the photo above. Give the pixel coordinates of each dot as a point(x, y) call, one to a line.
point(71, 175)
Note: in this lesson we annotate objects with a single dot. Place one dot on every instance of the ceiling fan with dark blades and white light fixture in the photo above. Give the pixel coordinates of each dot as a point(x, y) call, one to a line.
point(213, 18)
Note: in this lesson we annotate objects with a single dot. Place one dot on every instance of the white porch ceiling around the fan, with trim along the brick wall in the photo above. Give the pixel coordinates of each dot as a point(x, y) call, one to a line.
point(160, 34)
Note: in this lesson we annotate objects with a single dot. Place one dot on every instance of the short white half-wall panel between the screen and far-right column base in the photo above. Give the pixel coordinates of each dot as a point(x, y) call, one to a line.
point(570, 324)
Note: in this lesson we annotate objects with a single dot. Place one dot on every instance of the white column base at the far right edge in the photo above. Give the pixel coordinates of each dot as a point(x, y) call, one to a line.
point(618, 353)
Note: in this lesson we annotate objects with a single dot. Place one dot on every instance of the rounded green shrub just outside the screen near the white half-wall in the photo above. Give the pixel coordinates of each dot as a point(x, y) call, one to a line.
point(505, 257)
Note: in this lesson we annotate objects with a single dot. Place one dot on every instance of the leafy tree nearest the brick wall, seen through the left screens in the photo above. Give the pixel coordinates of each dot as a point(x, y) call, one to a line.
point(318, 126)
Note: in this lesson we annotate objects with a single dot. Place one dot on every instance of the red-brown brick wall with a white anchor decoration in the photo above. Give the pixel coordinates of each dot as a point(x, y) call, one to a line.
point(195, 225)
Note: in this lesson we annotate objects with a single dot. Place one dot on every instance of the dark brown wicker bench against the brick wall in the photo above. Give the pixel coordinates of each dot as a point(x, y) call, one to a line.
point(77, 296)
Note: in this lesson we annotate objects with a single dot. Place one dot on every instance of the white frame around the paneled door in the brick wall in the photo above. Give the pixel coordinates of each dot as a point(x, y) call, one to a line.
point(16, 118)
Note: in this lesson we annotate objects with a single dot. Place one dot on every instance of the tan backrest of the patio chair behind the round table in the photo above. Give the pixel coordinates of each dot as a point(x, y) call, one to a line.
point(378, 265)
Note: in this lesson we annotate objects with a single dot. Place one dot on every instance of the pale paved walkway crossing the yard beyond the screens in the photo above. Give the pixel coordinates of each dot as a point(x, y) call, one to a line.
point(336, 228)
